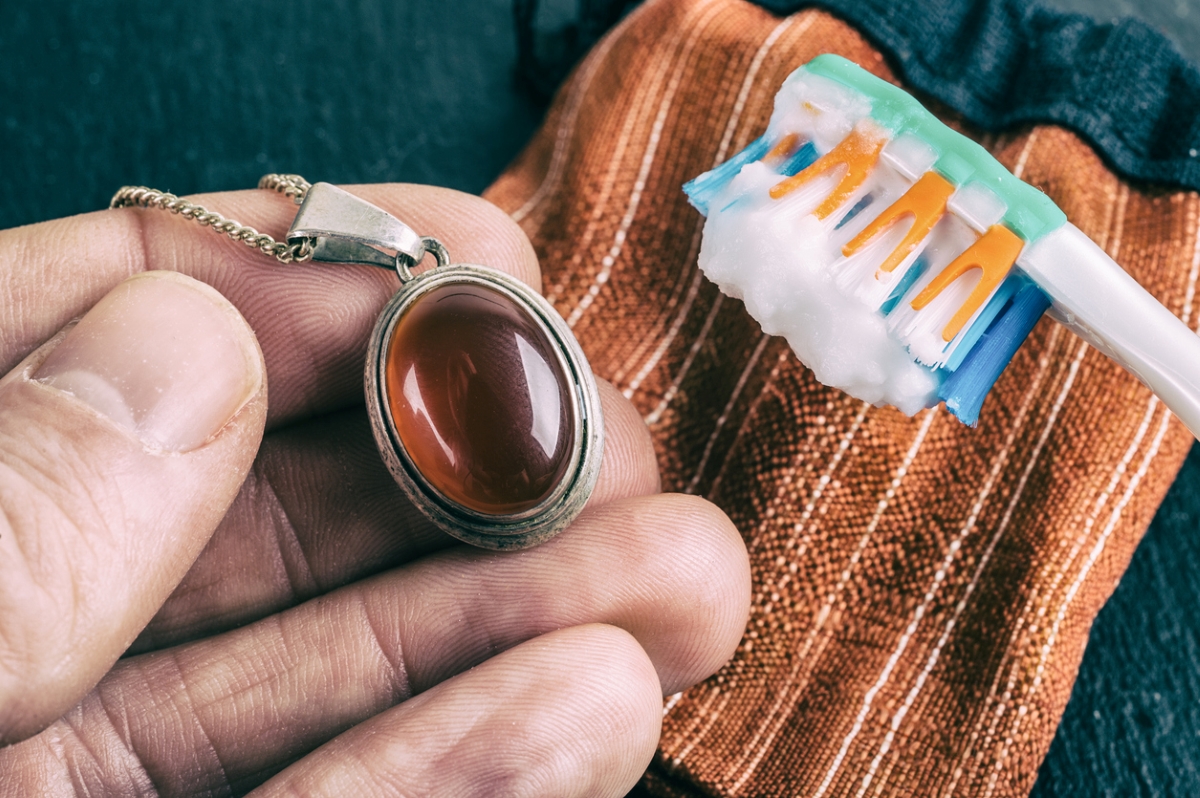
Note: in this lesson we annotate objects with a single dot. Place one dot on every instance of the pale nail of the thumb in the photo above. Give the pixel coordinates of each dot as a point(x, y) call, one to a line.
point(163, 356)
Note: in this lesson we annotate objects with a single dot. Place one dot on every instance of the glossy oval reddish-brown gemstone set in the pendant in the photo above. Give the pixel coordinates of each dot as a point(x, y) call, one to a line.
point(479, 399)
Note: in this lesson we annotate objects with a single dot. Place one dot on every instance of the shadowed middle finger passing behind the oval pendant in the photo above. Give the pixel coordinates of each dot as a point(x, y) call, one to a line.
point(321, 511)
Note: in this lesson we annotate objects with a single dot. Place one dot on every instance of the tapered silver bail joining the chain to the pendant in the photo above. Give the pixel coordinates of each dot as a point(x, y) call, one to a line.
point(349, 230)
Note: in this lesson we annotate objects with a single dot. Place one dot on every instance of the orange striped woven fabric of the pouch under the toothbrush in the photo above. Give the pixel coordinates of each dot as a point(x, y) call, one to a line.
point(922, 591)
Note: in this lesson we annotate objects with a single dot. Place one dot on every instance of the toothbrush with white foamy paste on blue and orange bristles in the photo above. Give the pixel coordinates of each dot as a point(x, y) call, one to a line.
point(905, 265)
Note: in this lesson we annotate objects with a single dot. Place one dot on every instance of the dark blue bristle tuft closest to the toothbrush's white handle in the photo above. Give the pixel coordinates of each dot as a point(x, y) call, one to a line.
point(967, 388)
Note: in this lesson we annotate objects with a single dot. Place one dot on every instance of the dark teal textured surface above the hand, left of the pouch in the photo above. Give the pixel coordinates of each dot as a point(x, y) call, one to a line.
point(195, 98)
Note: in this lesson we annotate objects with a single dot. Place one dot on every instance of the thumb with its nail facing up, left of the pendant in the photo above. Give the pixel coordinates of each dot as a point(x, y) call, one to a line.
point(123, 442)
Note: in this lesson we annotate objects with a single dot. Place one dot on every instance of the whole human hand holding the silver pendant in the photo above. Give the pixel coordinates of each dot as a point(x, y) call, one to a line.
point(290, 620)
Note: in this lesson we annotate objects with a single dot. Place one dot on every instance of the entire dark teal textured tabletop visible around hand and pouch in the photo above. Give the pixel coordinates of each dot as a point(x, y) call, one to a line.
point(209, 97)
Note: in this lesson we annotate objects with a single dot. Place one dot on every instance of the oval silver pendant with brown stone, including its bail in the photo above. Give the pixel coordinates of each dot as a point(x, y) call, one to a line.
point(482, 401)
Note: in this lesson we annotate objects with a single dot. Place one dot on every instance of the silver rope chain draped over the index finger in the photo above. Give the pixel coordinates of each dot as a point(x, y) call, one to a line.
point(290, 185)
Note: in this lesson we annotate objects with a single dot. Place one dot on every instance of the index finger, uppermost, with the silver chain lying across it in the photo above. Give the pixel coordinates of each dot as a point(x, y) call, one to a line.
point(313, 321)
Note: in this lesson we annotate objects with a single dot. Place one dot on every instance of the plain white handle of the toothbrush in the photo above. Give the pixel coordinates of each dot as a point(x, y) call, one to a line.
point(1102, 304)
